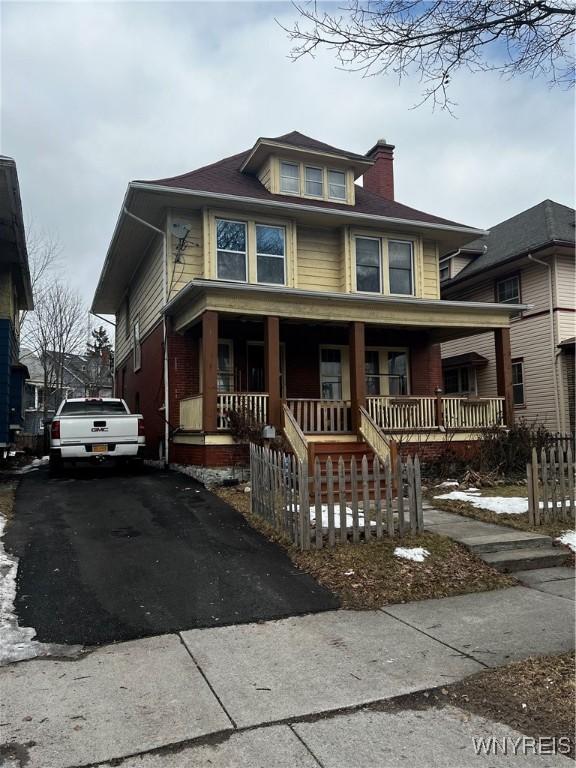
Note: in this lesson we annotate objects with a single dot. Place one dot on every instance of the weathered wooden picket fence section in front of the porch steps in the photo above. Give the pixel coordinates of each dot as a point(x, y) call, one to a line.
point(340, 501)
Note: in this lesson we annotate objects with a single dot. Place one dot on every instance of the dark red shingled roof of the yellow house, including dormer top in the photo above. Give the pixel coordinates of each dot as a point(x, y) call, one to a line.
point(224, 177)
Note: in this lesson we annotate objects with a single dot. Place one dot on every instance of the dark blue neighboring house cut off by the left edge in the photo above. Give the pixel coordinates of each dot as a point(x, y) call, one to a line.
point(15, 295)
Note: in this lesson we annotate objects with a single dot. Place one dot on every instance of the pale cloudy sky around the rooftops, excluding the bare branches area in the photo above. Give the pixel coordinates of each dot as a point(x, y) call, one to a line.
point(96, 94)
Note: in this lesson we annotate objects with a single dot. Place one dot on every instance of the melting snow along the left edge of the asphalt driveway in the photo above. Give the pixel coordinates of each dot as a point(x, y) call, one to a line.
point(17, 643)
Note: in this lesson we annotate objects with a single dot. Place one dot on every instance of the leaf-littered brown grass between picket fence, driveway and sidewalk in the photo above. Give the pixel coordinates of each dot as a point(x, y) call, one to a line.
point(368, 576)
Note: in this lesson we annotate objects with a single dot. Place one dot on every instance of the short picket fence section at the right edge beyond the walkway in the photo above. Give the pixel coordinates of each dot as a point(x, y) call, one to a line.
point(550, 481)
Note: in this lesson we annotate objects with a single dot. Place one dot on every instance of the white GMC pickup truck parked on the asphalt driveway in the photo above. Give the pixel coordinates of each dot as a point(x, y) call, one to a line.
point(88, 428)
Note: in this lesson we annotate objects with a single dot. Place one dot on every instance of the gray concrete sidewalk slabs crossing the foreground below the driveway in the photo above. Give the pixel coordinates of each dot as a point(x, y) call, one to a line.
point(272, 694)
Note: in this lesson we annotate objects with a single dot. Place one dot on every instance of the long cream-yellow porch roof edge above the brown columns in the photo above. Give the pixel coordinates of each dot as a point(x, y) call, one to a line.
point(442, 320)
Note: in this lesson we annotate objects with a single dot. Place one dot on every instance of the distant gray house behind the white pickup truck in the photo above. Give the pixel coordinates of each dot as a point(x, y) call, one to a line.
point(84, 376)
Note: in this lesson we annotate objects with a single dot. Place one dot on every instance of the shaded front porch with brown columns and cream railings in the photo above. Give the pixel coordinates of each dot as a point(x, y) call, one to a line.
point(324, 378)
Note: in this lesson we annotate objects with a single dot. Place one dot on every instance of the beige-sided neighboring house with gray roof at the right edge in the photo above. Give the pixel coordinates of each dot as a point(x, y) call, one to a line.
point(528, 259)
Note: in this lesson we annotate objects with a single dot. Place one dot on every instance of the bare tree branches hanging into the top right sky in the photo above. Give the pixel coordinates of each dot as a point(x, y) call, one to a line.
point(436, 39)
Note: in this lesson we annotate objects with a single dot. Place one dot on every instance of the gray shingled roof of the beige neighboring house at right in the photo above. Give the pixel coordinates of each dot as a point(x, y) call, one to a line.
point(547, 223)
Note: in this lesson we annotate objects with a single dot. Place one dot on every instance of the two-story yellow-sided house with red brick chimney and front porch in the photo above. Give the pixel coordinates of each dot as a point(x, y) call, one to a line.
point(287, 283)
